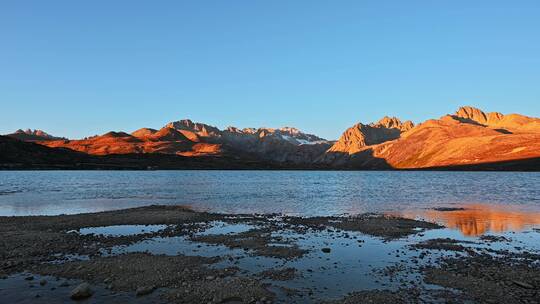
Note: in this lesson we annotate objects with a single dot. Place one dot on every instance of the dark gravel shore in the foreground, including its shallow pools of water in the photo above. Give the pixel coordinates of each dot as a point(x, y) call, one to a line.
point(171, 254)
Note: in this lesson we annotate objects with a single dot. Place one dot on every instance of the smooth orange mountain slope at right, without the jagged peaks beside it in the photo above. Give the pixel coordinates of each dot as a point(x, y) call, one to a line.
point(448, 142)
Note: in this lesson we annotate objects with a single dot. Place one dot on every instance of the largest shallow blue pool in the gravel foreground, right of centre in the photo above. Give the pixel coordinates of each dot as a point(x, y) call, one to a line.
point(349, 265)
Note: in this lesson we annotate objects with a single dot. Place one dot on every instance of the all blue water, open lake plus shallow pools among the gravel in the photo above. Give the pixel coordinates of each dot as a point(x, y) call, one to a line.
point(500, 204)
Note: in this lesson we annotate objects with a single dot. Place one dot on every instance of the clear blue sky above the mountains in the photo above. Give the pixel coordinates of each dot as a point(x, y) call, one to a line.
point(79, 68)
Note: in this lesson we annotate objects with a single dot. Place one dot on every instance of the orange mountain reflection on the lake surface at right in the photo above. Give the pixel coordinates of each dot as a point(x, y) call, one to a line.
point(478, 219)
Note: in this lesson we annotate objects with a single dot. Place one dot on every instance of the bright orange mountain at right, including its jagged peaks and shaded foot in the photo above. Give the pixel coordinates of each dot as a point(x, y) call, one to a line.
point(468, 137)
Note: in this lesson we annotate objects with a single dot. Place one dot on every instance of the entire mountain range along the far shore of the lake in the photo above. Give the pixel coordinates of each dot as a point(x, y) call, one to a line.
point(469, 138)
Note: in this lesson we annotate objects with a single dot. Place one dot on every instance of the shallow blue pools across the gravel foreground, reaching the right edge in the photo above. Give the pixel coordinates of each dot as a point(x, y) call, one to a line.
point(350, 261)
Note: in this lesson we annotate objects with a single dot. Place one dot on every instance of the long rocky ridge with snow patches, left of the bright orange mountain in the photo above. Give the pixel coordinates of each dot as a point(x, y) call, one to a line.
point(188, 138)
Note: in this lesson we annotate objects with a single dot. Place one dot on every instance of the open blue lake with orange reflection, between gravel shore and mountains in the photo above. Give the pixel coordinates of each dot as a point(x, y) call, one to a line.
point(510, 197)
